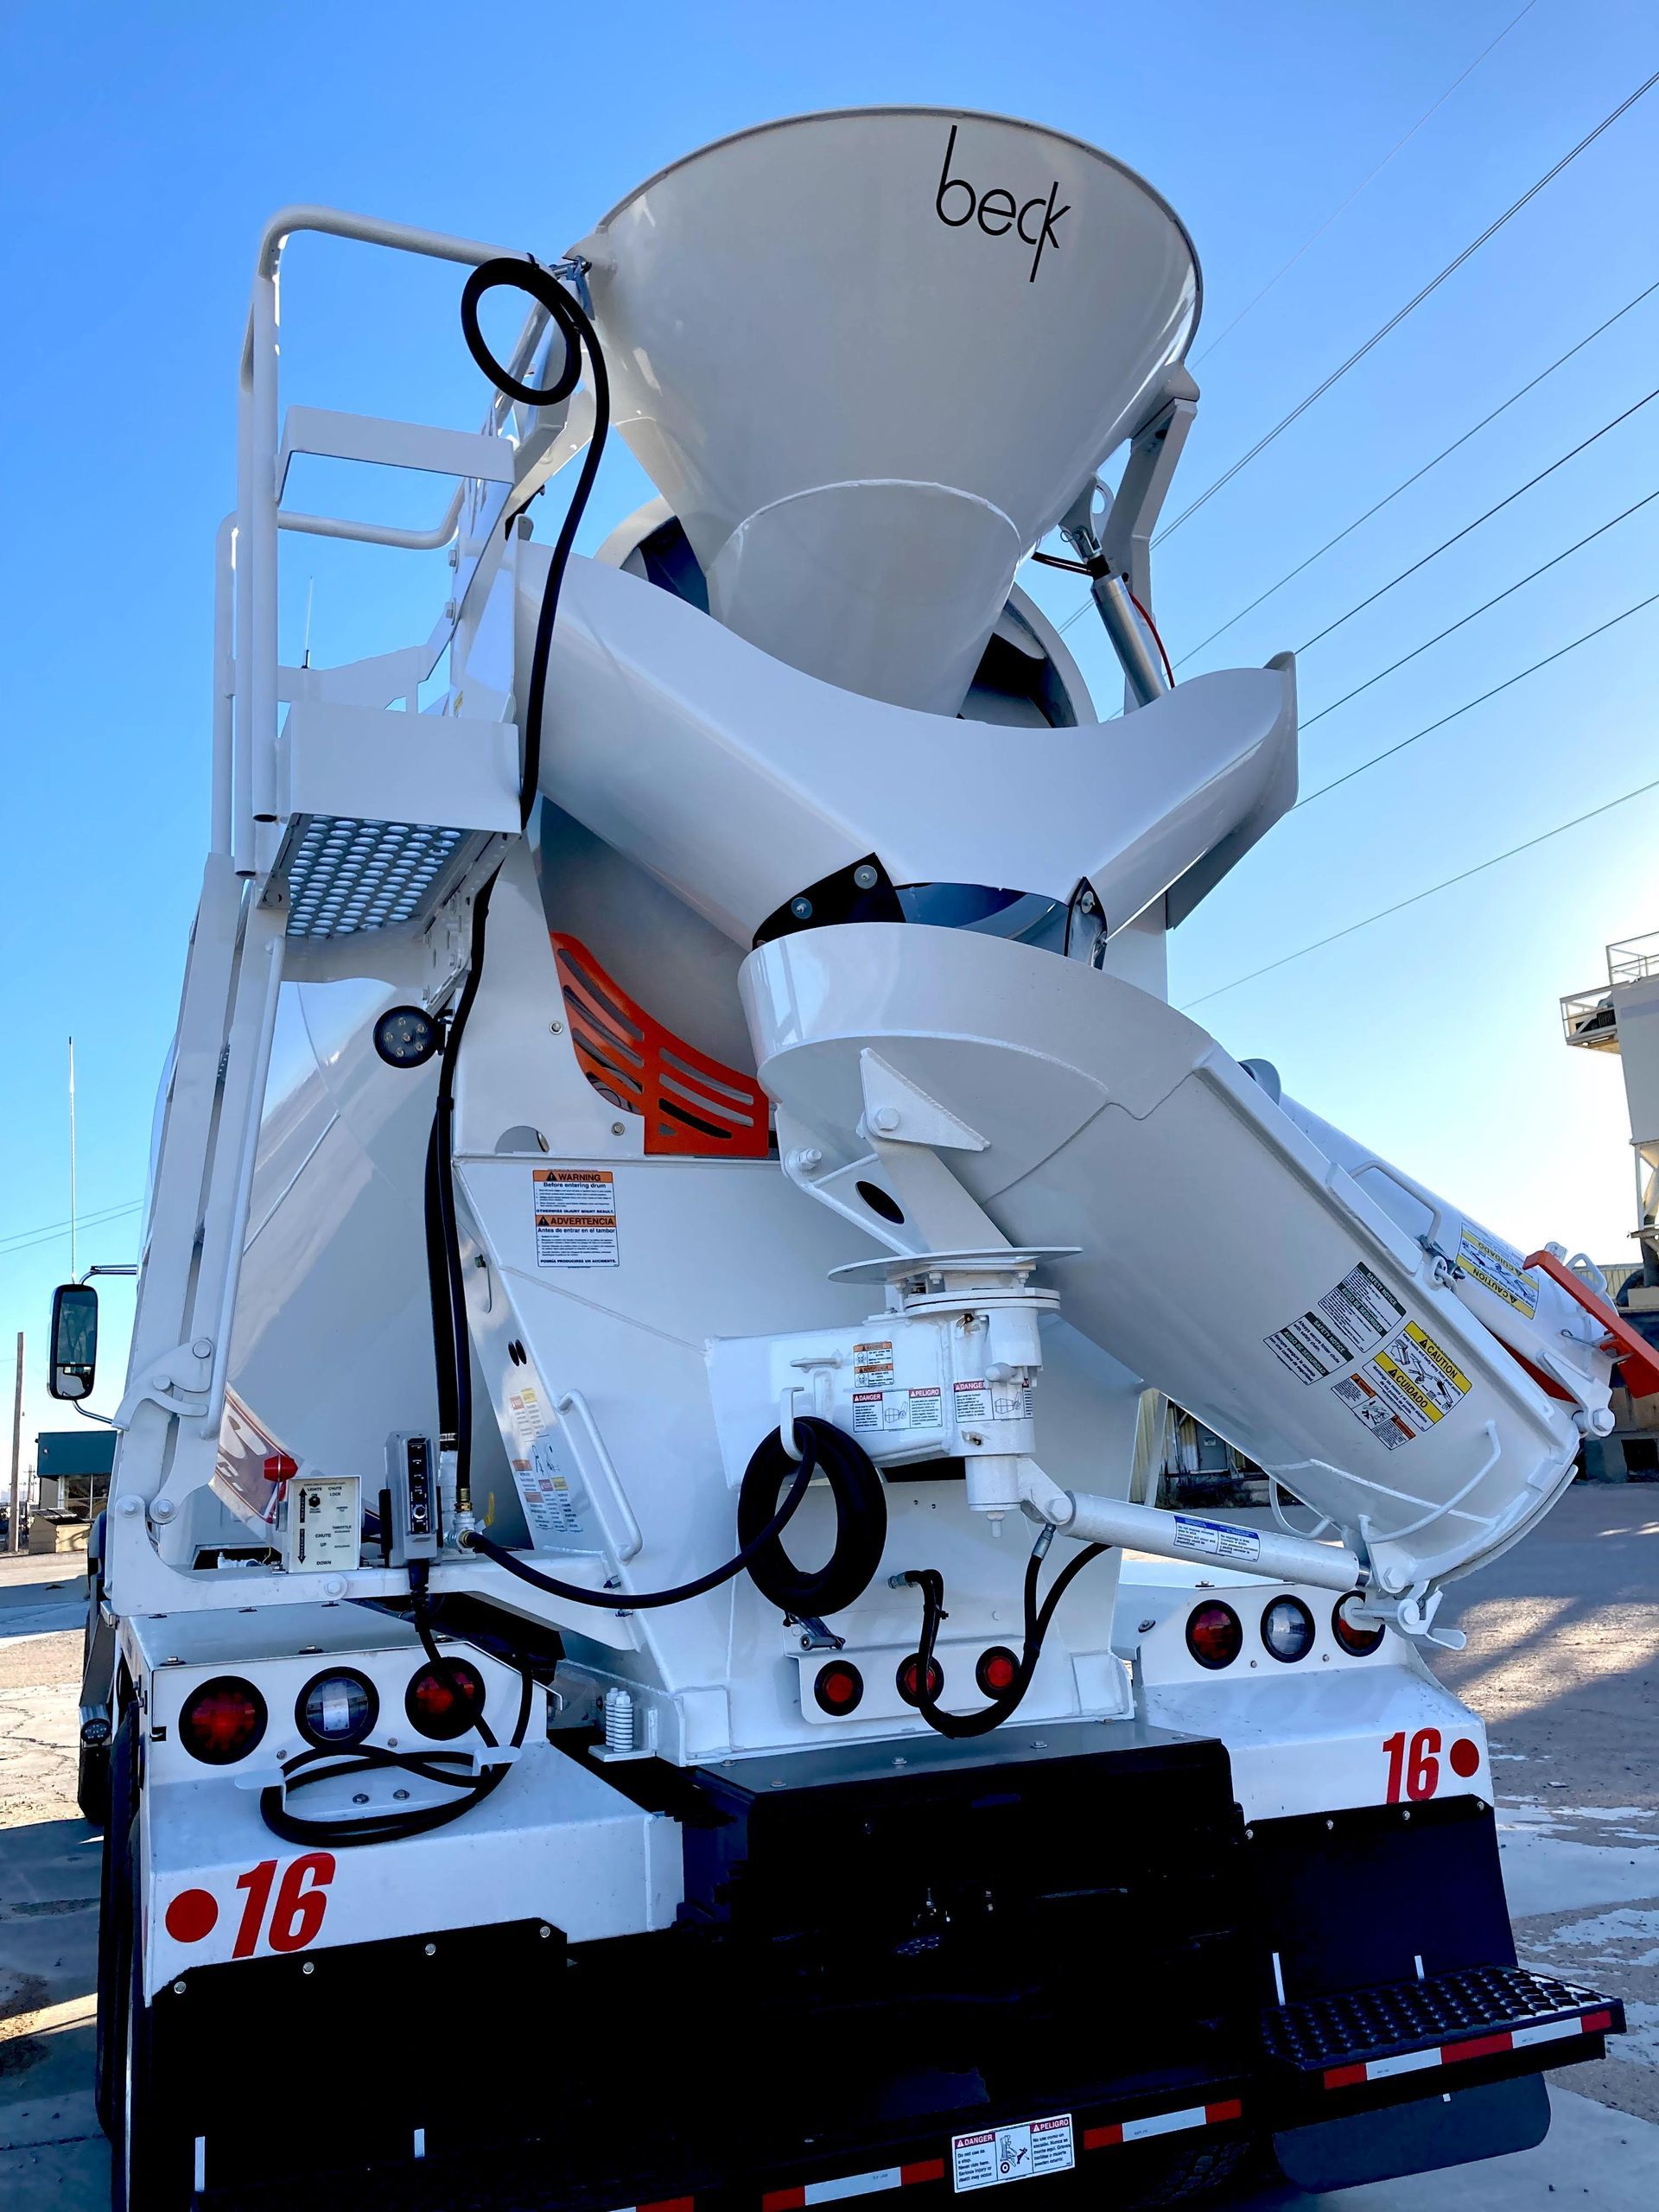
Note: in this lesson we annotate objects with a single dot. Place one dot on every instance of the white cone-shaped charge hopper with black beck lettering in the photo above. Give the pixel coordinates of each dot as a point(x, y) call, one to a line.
point(873, 357)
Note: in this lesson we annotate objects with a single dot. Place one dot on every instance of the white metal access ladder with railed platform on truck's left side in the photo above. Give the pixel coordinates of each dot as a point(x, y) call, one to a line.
point(346, 817)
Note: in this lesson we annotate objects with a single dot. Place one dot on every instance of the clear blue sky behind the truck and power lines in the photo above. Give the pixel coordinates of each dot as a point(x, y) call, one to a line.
point(140, 152)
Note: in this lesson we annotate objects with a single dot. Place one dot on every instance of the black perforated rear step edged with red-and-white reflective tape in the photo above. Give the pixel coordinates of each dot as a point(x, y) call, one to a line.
point(1404, 2027)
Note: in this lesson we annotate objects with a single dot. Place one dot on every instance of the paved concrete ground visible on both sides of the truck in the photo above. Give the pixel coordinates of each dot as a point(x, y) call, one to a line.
point(1563, 1662)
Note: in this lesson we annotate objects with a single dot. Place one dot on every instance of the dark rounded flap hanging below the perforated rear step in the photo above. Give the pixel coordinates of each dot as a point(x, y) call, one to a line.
point(1417, 2138)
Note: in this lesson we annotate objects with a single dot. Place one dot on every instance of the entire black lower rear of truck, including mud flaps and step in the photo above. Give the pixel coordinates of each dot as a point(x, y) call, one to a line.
point(997, 1965)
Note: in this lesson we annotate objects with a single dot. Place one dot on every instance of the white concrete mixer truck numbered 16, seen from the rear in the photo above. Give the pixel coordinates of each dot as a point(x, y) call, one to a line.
point(636, 1658)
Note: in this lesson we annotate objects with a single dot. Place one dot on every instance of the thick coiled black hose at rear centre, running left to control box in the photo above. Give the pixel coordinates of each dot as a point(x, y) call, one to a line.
point(862, 1532)
